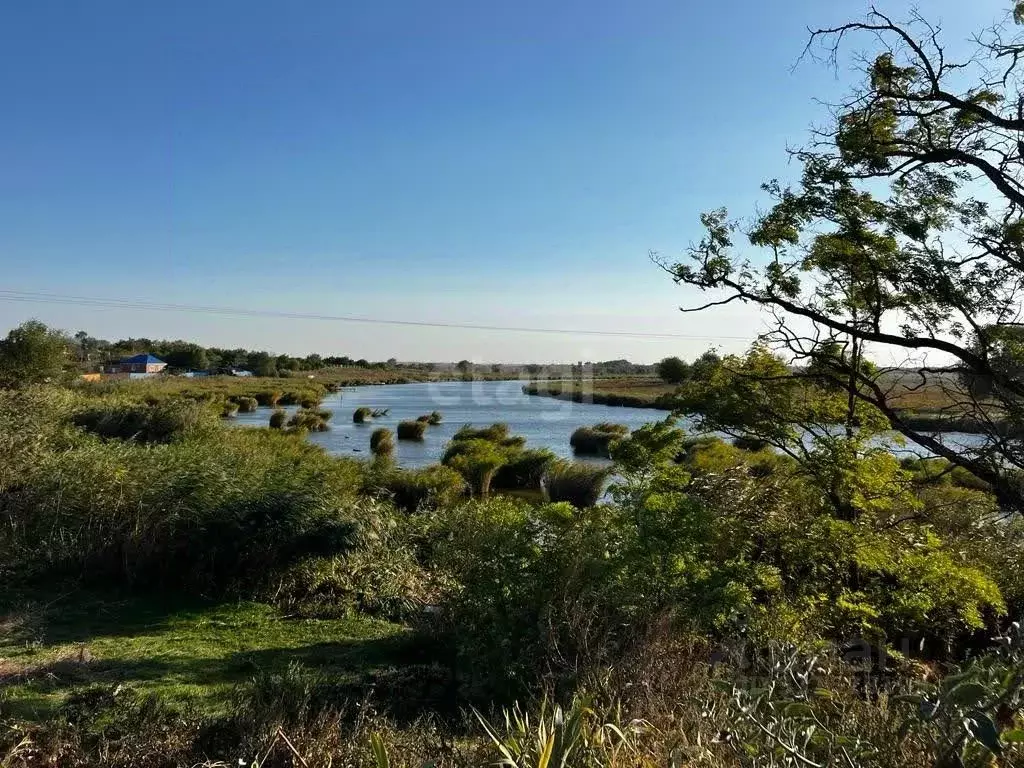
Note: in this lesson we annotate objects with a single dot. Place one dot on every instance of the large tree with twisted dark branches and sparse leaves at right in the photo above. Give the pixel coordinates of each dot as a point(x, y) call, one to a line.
point(905, 237)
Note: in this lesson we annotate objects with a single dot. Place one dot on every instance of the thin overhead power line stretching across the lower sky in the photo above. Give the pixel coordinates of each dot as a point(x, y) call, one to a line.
point(48, 298)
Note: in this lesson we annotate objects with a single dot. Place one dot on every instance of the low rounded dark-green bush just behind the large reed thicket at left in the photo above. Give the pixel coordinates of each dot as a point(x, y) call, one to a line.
point(164, 422)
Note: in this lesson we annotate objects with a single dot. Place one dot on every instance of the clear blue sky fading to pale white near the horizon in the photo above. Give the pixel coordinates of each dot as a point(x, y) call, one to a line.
point(465, 162)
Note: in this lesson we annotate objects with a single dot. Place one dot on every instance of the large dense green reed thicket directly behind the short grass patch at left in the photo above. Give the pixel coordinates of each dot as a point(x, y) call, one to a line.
point(225, 511)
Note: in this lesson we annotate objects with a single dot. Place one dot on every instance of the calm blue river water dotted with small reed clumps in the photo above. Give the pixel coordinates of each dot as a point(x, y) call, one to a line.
point(545, 422)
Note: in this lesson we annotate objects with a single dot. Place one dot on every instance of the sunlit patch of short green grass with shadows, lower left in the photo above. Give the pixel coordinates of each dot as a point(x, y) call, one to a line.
point(185, 654)
